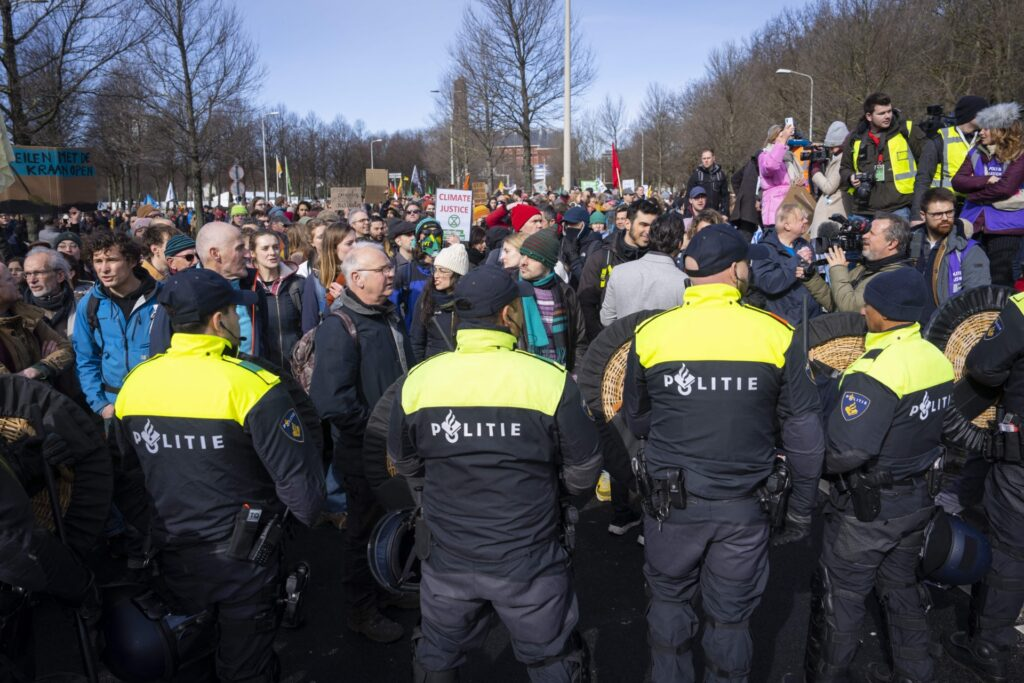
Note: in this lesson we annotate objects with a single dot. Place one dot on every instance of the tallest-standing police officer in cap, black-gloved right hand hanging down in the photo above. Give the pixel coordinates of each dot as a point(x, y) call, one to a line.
point(708, 386)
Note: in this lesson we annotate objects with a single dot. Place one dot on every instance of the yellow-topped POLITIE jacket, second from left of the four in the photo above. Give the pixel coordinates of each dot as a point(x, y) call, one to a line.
point(496, 434)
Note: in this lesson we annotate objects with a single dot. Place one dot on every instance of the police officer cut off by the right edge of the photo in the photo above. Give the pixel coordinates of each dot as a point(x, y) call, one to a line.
point(998, 361)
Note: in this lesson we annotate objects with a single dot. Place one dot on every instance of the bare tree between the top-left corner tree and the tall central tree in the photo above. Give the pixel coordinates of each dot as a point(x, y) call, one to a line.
point(201, 66)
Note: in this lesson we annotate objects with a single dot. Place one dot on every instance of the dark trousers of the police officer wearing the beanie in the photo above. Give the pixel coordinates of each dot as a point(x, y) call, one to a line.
point(858, 558)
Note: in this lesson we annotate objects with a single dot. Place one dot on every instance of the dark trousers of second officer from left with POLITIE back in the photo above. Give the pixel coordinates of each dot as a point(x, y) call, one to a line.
point(533, 596)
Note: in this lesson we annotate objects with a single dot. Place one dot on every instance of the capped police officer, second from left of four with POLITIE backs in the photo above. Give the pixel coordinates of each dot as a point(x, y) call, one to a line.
point(494, 438)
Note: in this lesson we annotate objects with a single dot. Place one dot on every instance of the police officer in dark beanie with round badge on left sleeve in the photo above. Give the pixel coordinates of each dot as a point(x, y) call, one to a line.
point(884, 438)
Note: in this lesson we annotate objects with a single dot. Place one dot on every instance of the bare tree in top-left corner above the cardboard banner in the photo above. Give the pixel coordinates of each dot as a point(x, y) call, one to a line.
point(54, 52)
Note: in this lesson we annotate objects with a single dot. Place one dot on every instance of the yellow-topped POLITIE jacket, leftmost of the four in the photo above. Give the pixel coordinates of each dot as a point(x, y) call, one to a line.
point(214, 433)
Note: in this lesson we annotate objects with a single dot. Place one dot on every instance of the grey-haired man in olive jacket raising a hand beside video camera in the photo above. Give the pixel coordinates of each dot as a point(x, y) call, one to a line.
point(885, 248)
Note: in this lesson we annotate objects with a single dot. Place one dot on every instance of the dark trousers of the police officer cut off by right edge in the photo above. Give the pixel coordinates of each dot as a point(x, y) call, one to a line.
point(997, 603)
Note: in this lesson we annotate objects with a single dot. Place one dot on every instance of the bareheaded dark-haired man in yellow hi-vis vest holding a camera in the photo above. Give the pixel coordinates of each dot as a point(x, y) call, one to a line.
point(879, 167)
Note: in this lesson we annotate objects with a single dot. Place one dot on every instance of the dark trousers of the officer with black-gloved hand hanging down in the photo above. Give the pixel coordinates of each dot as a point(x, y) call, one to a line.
point(720, 547)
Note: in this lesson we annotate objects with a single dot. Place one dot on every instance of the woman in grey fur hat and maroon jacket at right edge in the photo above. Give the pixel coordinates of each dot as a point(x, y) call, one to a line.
point(993, 179)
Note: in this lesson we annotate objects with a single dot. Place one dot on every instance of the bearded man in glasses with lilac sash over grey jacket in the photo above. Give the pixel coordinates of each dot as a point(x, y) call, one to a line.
point(943, 252)
